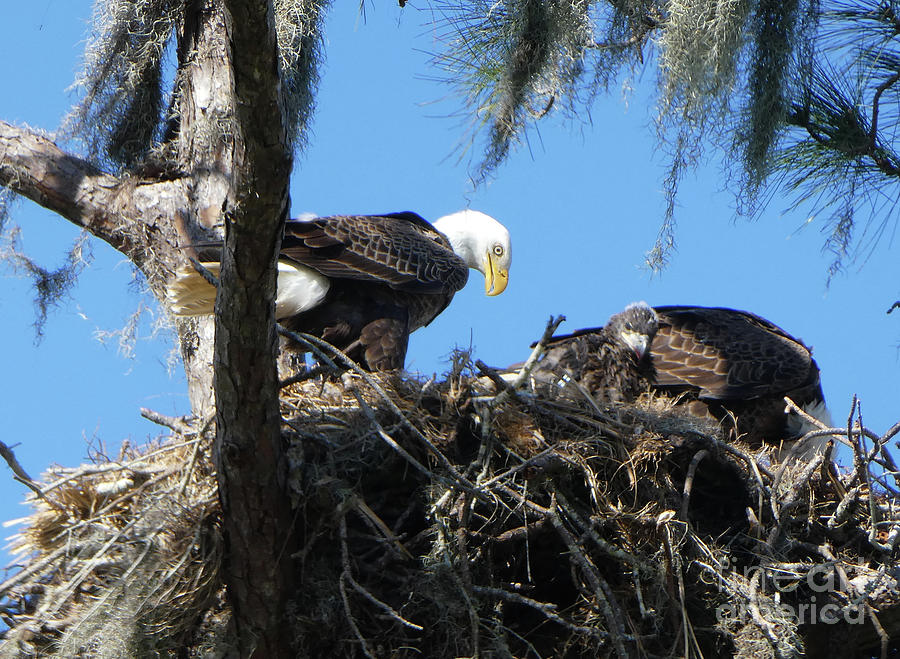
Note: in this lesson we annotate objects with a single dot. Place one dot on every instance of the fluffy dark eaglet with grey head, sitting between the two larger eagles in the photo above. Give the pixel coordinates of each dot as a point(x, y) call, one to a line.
point(612, 363)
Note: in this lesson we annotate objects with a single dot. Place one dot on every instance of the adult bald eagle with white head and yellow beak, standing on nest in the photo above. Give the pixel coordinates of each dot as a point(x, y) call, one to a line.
point(364, 282)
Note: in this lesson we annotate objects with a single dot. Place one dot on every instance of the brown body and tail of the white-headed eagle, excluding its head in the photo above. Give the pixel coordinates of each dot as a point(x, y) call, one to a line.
point(386, 276)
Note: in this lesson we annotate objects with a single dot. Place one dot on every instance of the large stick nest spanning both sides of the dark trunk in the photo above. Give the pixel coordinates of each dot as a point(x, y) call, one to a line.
point(440, 519)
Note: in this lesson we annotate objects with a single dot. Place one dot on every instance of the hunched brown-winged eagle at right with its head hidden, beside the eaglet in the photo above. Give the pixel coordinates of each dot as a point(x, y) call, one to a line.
point(722, 363)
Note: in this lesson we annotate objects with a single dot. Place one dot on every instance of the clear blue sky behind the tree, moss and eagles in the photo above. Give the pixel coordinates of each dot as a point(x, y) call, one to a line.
point(582, 200)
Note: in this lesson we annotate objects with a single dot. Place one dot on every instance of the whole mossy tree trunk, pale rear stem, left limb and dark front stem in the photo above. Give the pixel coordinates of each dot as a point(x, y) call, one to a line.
point(232, 159)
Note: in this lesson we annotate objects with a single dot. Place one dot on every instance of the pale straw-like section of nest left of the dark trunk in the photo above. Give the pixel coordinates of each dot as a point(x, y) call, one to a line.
point(111, 550)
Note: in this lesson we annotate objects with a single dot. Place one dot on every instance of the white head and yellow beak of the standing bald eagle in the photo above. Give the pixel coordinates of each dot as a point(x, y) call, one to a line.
point(483, 243)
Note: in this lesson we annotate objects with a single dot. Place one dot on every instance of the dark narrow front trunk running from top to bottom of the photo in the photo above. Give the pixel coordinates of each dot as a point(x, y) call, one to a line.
point(249, 456)
